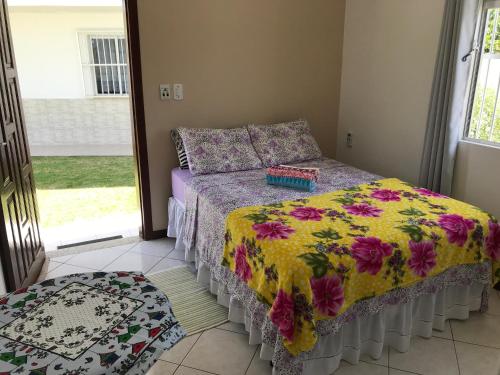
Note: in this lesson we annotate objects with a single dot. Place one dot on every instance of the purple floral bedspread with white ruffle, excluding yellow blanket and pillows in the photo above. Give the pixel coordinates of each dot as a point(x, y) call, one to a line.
point(388, 320)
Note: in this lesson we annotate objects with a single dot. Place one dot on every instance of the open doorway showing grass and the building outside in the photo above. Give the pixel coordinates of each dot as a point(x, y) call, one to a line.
point(73, 70)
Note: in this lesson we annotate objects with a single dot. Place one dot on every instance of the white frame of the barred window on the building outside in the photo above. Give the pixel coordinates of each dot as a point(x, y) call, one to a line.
point(86, 58)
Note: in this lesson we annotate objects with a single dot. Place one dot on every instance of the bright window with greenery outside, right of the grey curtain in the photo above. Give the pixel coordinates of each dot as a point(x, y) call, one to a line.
point(484, 107)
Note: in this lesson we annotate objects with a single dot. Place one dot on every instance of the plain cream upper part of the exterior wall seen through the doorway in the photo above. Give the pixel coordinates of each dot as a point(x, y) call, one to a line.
point(47, 49)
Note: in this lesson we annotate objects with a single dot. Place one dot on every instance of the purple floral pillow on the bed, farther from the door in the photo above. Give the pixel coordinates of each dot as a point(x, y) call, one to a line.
point(288, 142)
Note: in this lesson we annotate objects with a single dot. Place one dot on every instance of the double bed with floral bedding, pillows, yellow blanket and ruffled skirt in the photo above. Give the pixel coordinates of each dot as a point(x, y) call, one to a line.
point(332, 275)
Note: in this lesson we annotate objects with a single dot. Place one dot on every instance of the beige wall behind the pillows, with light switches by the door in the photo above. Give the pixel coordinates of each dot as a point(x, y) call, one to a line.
point(240, 61)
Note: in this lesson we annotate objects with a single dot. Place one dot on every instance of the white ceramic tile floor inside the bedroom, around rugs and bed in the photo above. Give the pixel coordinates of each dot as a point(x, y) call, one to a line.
point(464, 348)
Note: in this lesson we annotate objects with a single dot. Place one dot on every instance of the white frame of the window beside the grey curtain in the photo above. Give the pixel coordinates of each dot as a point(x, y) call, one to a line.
point(476, 60)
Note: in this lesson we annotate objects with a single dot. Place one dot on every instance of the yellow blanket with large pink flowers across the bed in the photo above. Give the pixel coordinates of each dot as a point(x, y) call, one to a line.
point(311, 259)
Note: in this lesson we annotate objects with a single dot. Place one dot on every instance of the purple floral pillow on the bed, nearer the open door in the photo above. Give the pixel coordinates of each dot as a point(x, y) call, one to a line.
point(219, 150)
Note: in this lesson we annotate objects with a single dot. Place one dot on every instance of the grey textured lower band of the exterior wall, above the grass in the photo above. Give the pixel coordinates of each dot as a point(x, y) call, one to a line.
point(97, 126)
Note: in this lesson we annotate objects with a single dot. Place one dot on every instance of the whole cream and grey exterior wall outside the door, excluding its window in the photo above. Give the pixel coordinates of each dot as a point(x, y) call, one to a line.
point(60, 118)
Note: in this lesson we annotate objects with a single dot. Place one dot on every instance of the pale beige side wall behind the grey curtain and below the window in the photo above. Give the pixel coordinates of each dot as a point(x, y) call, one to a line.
point(388, 67)
